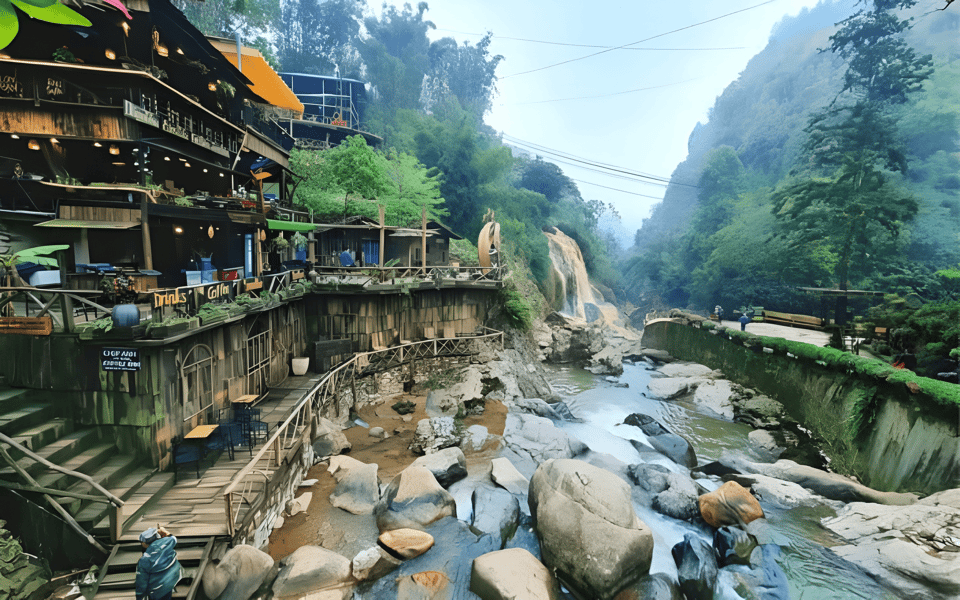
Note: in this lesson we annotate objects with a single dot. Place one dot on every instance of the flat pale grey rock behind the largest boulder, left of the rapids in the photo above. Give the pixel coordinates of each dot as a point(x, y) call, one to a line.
point(529, 440)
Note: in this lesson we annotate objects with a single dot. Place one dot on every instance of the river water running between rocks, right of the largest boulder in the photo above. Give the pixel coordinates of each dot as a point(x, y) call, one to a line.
point(813, 572)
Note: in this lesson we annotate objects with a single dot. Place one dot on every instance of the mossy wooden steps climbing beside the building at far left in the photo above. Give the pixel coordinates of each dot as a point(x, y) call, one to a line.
point(31, 420)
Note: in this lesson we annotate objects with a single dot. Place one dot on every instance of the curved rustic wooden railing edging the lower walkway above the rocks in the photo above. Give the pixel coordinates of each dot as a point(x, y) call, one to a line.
point(249, 487)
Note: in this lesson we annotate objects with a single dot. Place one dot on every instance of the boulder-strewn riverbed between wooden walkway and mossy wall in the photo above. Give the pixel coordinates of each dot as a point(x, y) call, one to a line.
point(503, 503)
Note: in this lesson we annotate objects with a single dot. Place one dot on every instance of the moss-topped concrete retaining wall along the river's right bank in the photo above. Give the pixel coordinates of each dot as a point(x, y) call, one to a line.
point(911, 441)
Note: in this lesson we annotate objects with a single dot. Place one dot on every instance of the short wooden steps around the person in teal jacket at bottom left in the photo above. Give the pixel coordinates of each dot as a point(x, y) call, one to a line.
point(118, 577)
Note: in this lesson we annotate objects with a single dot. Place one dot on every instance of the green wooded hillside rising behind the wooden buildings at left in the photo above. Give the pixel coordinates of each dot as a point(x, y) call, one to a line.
point(428, 99)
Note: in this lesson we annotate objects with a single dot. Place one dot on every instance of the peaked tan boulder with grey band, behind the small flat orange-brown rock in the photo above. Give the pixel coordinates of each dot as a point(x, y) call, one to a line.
point(413, 500)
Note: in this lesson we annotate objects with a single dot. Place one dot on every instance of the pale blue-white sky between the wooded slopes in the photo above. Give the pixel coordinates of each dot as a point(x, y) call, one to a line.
point(630, 108)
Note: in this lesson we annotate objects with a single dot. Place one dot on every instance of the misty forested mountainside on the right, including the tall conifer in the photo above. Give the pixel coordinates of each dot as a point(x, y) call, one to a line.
point(831, 161)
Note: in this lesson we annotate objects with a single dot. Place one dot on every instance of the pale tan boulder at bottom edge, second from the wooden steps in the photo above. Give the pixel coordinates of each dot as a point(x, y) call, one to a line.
point(310, 569)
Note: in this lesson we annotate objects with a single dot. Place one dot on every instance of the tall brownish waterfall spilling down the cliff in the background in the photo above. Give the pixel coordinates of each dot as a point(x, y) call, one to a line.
point(580, 300)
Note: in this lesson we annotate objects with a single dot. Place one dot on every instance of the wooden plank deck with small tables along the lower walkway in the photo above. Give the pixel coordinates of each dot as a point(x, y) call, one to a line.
point(194, 507)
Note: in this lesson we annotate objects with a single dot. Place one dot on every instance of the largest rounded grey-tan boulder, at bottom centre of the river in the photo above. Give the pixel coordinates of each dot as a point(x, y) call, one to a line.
point(590, 535)
